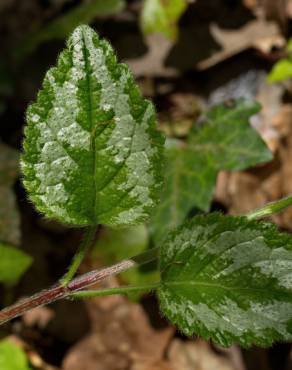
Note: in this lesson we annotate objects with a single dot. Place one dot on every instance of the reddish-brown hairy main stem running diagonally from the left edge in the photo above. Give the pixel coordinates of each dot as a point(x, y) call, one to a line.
point(60, 291)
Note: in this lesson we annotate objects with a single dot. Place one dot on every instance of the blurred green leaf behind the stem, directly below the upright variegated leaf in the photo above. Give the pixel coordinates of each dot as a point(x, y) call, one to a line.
point(114, 245)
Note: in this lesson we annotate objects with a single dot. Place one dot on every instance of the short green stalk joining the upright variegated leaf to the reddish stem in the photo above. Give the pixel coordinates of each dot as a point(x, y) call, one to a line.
point(79, 256)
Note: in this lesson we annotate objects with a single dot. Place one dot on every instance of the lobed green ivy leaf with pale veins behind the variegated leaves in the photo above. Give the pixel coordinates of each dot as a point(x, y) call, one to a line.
point(224, 141)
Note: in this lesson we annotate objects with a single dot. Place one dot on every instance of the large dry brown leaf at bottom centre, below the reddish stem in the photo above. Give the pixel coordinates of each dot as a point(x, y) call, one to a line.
point(121, 338)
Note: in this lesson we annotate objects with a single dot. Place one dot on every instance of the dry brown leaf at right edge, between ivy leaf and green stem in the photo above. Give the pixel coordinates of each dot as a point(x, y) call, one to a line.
point(244, 191)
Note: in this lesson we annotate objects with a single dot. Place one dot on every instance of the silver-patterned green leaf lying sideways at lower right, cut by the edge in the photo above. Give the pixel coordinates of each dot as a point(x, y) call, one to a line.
point(228, 279)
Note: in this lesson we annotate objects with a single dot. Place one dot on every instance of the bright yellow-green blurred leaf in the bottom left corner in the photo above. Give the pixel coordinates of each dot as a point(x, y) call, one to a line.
point(12, 357)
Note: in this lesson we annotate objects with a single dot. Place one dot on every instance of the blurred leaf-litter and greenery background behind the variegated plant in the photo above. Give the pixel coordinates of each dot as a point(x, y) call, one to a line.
point(186, 56)
